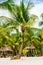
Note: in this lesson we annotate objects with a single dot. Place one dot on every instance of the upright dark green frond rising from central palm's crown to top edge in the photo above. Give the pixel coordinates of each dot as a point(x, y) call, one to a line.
point(24, 11)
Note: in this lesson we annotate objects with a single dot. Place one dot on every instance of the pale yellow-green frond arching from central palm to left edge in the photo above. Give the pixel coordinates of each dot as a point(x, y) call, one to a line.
point(7, 23)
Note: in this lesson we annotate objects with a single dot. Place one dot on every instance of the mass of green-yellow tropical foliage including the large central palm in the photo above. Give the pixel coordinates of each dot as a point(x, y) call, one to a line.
point(23, 20)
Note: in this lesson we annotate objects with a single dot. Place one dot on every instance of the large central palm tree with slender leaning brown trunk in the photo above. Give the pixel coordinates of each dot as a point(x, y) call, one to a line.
point(20, 17)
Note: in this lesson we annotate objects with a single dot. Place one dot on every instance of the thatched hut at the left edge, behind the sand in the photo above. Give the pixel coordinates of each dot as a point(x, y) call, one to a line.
point(5, 51)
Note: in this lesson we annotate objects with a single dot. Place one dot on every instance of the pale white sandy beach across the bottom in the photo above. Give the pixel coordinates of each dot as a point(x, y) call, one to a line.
point(22, 61)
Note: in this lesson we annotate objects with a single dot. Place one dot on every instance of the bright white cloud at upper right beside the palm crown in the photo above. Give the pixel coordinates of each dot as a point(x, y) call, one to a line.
point(37, 9)
